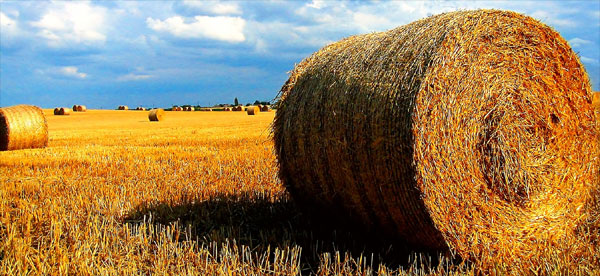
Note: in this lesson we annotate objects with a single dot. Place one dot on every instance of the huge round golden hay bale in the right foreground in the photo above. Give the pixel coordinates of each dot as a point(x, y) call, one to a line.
point(445, 132)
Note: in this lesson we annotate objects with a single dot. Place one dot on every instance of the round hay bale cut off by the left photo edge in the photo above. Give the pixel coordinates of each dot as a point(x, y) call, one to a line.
point(22, 127)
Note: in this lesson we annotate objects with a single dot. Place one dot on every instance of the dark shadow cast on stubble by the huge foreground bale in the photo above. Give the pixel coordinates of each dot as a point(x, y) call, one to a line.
point(263, 223)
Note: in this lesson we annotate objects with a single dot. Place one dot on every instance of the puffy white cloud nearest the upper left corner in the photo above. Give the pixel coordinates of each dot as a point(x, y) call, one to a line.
point(65, 23)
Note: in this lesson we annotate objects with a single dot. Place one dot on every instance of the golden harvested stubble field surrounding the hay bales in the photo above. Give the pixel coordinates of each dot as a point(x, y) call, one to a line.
point(195, 194)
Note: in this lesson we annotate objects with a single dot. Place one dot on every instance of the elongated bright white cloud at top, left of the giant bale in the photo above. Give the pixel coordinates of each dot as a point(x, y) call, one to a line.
point(224, 28)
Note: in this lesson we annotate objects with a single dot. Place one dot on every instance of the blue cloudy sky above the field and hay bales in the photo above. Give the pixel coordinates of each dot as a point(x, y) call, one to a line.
point(160, 53)
